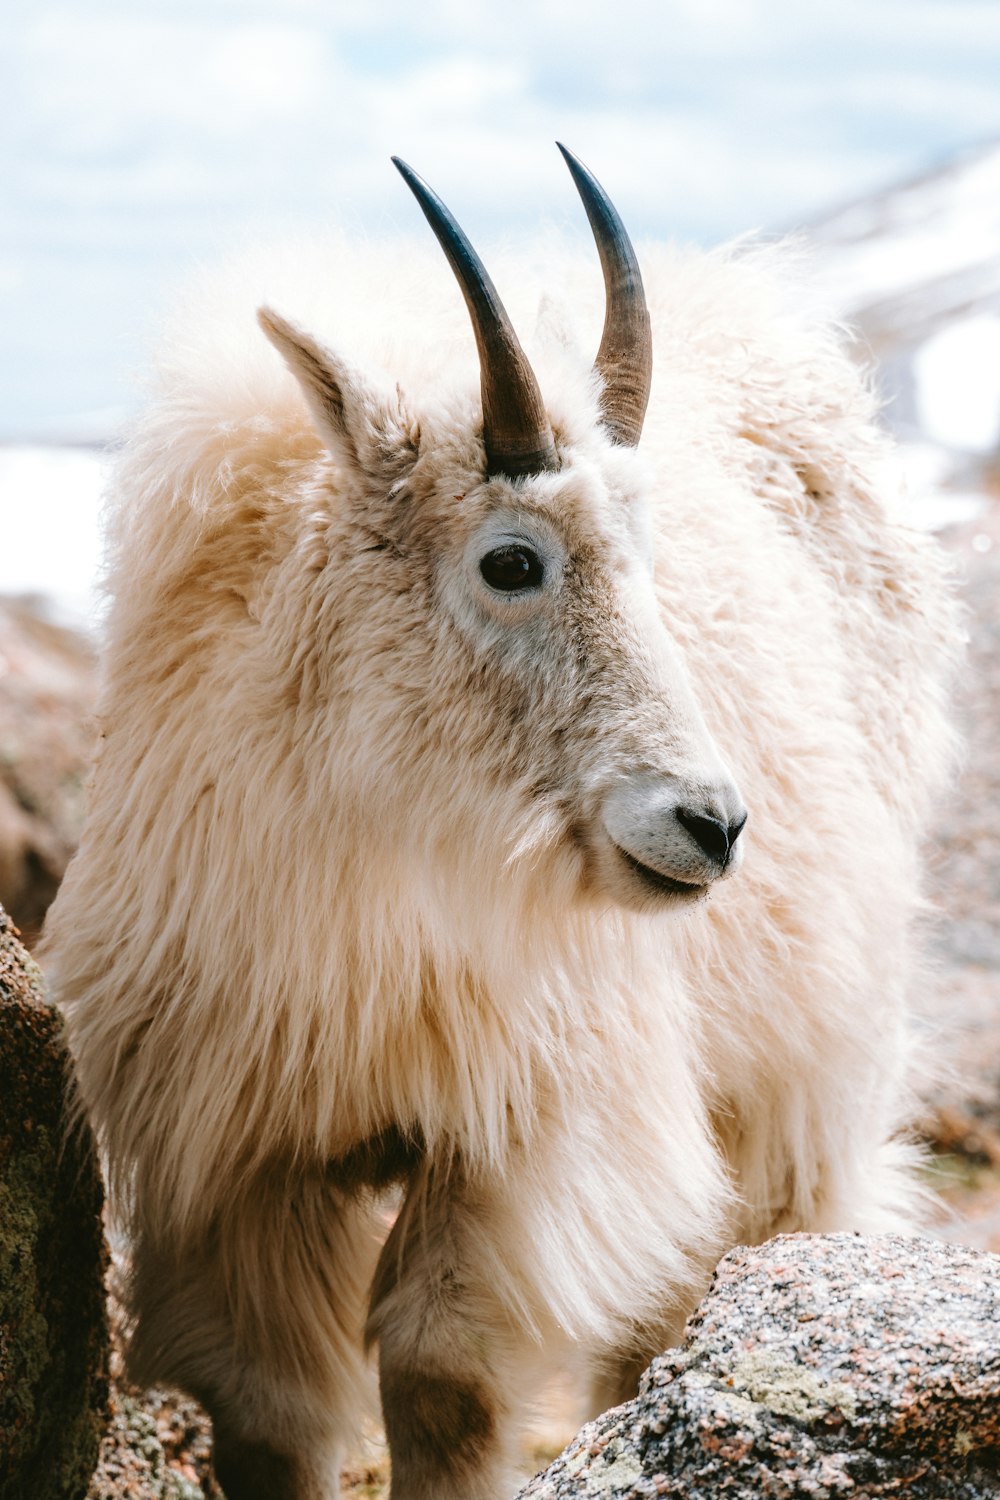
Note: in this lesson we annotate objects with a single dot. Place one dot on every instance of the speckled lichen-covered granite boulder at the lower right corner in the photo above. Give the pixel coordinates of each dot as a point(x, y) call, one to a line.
point(819, 1366)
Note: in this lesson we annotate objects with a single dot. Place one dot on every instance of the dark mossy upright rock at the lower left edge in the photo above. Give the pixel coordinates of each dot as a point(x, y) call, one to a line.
point(53, 1258)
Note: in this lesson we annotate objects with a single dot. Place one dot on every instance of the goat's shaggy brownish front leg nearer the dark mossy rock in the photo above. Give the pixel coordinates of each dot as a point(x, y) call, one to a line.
point(263, 1321)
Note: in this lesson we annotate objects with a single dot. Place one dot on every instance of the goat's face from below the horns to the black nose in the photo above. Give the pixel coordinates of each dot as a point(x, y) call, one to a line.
point(549, 589)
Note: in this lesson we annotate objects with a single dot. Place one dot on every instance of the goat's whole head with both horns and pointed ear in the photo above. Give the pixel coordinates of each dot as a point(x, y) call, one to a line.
point(493, 637)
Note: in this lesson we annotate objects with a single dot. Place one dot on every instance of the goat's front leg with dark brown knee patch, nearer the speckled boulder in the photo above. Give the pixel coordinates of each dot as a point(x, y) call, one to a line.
point(455, 1369)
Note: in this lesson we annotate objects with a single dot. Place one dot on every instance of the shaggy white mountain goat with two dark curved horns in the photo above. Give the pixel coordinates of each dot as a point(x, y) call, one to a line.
point(433, 716)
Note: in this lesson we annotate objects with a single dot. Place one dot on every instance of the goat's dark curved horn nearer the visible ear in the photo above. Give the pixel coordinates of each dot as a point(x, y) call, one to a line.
point(515, 424)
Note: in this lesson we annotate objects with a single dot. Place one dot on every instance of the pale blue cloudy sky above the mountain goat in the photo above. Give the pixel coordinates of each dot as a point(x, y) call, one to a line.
point(142, 142)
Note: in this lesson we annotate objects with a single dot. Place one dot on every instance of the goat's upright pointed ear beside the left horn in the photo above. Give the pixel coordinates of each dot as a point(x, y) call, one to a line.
point(362, 425)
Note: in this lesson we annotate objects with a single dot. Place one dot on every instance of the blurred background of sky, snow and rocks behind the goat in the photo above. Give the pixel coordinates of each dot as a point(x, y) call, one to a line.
point(143, 142)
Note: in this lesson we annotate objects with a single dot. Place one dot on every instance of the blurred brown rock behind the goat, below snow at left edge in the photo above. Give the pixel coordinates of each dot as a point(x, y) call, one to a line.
point(47, 697)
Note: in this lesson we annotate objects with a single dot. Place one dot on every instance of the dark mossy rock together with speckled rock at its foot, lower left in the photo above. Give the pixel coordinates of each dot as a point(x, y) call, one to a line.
point(65, 1433)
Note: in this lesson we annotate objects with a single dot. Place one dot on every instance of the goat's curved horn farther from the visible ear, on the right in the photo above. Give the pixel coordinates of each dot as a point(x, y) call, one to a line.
point(626, 355)
